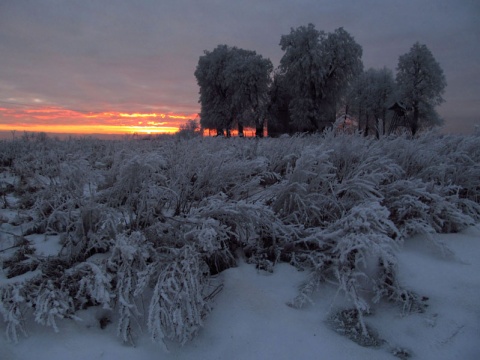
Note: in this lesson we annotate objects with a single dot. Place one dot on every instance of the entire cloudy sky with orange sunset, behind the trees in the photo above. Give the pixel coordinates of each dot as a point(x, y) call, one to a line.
point(119, 66)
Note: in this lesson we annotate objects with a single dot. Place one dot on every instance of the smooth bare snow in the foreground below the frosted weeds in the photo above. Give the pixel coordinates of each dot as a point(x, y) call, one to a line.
point(250, 318)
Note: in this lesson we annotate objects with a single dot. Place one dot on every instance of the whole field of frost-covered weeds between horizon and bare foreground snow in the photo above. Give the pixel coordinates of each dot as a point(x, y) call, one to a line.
point(149, 221)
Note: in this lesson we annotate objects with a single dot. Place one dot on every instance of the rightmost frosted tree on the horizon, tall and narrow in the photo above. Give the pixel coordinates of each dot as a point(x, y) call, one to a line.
point(421, 84)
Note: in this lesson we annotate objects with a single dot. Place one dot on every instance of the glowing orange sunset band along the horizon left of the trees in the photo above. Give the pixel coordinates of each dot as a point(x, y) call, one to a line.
point(59, 120)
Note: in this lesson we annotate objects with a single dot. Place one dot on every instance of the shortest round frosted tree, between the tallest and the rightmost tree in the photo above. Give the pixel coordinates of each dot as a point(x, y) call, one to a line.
point(370, 97)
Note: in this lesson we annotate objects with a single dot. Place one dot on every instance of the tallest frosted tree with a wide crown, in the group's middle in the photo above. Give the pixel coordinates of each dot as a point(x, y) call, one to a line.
point(318, 67)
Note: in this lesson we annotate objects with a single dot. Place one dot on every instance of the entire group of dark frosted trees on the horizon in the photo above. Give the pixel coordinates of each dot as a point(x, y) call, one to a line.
point(319, 75)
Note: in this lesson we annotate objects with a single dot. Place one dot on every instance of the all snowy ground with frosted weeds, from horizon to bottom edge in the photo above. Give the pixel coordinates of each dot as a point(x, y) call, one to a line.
point(169, 237)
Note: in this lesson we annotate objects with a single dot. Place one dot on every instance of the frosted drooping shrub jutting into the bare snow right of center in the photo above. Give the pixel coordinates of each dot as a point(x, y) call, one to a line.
point(345, 252)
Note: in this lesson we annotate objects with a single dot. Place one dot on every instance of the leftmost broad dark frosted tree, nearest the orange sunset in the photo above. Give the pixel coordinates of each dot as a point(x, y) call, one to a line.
point(233, 88)
